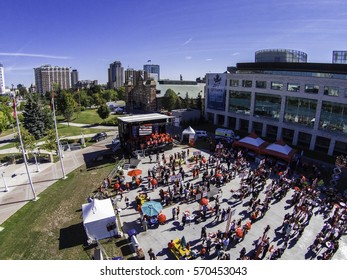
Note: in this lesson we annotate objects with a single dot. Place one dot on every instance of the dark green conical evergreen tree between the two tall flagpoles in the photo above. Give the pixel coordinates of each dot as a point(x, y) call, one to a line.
point(35, 117)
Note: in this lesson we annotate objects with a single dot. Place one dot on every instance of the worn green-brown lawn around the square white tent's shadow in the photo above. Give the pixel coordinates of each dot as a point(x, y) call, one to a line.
point(51, 228)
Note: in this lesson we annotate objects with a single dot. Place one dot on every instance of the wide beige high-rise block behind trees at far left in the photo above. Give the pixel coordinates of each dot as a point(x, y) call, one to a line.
point(46, 76)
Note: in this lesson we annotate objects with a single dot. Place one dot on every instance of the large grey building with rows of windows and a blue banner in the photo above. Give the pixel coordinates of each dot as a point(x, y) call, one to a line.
point(305, 104)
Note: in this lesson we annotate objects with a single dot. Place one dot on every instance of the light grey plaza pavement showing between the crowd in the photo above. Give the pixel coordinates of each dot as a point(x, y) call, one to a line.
point(157, 237)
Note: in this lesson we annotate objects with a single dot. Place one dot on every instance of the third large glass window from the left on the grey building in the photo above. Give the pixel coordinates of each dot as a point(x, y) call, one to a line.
point(300, 111)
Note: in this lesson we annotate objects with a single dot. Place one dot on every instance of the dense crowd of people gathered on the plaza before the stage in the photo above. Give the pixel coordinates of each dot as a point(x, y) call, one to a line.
point(184, 176)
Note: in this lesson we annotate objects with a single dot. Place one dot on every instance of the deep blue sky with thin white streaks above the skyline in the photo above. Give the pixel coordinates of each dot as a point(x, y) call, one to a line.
point(188, 37)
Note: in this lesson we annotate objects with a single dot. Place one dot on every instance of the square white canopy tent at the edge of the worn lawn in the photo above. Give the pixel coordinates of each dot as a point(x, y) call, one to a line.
point(99, 219)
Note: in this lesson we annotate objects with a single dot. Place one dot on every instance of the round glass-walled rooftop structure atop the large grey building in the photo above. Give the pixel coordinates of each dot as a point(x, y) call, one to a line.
point(280, 55)
